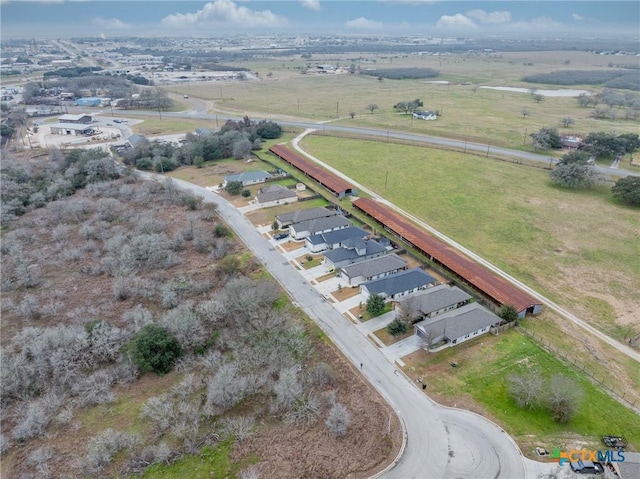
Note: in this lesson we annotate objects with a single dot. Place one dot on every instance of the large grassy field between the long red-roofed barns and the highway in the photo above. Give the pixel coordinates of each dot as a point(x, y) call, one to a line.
point(512, 216)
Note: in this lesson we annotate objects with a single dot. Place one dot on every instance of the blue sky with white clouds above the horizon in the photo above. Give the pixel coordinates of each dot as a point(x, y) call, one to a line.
point(112, 18)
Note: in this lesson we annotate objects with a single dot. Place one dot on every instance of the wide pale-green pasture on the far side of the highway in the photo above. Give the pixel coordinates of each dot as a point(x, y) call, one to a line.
point(468, 112)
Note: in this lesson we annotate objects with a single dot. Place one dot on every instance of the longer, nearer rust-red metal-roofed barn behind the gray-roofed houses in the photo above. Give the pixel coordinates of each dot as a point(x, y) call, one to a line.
point(496, 288)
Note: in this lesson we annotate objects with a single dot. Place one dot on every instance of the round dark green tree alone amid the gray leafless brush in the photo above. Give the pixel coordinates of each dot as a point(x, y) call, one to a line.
point(154, 348)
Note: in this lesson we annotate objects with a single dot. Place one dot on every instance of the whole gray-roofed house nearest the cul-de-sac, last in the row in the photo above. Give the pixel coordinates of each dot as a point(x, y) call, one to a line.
point(457, 326)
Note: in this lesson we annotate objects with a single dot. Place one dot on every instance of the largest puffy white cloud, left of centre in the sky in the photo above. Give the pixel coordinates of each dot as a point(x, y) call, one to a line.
point(225, 12)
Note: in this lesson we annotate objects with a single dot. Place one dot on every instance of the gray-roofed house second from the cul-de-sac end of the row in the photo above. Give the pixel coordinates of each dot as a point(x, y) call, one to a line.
point(434, 301)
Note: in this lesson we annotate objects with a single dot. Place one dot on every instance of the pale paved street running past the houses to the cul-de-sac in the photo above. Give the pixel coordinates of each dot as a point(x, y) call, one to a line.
point(442, 442)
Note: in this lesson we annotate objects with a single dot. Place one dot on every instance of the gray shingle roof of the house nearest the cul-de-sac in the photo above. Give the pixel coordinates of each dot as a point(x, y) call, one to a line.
point(458, 322)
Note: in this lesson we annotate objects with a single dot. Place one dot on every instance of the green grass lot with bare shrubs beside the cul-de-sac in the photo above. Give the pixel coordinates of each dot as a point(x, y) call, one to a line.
point(483, 366)
